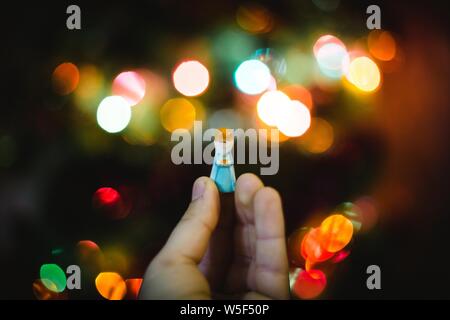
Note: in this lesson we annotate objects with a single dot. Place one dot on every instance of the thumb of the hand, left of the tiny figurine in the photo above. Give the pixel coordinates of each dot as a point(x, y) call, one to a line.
point(189, 240)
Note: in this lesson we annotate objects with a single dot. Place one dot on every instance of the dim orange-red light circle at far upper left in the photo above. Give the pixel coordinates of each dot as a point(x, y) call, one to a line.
point(65, 78)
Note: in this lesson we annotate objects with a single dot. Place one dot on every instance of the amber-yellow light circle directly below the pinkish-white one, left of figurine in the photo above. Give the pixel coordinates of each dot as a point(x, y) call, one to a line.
point(177, 113)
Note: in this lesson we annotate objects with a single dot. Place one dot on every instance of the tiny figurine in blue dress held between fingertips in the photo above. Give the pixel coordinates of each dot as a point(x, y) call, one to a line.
point(223, 167)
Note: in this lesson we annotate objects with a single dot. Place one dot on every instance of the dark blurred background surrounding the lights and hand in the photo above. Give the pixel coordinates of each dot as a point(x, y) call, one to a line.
point(401, 158)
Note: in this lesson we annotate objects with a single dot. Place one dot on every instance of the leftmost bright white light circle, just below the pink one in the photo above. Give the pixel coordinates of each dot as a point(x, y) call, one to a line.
point(113, 114)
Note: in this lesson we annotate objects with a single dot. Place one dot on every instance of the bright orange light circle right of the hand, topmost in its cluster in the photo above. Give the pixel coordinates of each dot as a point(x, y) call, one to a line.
point(336, 231)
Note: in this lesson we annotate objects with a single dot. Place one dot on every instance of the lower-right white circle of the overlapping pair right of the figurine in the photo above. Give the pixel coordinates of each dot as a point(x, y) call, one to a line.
point(294, 120)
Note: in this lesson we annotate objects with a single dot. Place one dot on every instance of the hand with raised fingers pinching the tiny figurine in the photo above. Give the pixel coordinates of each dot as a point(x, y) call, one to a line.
point(220, 250)
